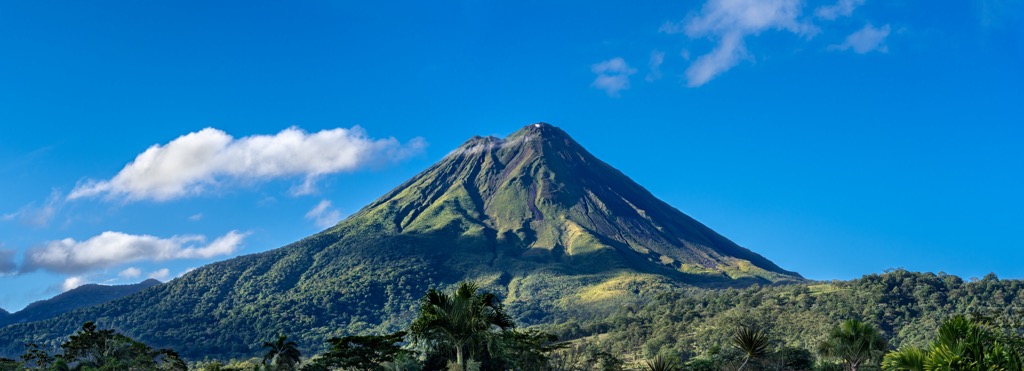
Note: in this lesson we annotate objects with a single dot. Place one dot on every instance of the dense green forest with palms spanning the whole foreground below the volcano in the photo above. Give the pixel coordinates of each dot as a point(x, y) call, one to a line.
point(895, 321)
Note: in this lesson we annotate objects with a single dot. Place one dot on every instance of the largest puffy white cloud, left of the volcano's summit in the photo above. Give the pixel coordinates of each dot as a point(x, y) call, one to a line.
point(202, 161)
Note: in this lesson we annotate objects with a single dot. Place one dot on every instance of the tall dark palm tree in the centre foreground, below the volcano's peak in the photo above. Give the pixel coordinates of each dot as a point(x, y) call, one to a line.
point(457, 321)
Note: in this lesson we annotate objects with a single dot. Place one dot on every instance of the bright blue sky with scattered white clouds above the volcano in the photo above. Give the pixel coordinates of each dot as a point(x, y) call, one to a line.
point(836, 138)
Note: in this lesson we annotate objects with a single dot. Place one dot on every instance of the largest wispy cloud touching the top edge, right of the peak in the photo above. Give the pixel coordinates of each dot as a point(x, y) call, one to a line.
point(730, 23)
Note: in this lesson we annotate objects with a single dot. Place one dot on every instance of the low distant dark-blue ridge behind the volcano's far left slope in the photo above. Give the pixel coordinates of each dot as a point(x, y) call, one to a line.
point(82, 297)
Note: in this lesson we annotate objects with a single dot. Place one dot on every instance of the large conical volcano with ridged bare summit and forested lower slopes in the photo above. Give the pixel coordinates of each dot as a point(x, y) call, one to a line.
point(533, 217)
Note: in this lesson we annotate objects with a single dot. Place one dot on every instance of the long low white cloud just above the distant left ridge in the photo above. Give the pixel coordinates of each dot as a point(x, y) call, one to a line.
point(114, 249)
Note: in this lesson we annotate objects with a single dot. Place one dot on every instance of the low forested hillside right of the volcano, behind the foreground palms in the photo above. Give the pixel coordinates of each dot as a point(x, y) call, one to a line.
point(907, 307)
